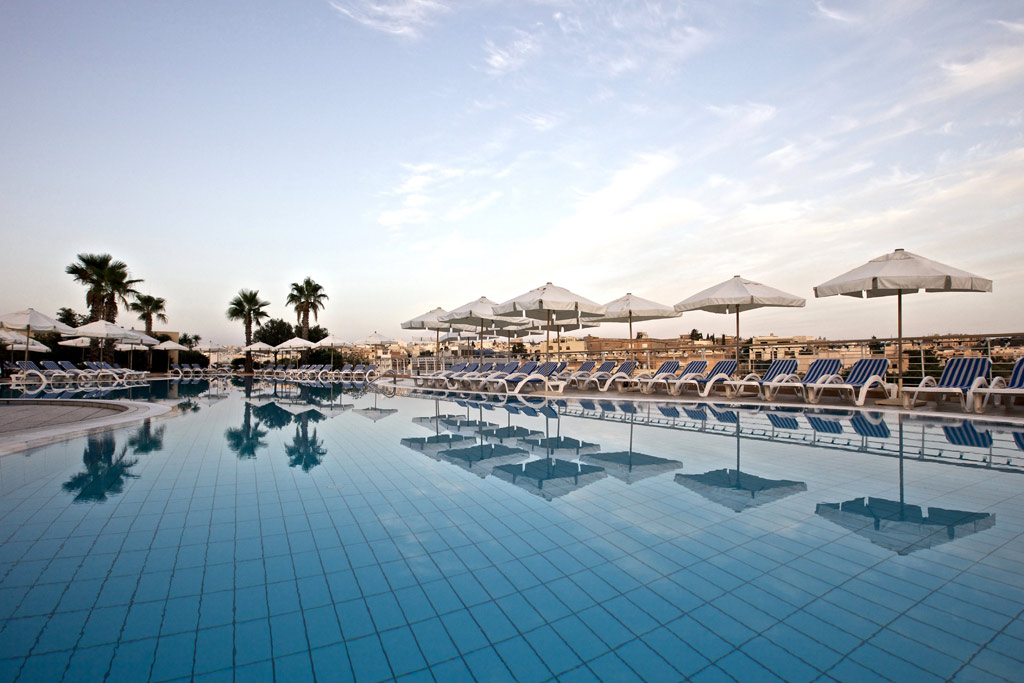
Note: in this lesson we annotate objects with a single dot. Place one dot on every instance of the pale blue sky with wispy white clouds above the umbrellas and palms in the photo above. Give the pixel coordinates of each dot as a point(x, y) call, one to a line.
point(414, 154)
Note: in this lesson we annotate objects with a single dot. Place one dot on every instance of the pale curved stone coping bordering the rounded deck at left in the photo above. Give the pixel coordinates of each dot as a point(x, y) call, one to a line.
point(123, 413)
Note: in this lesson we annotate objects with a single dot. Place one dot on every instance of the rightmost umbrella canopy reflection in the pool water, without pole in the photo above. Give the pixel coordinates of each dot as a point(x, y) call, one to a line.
point(904, 528)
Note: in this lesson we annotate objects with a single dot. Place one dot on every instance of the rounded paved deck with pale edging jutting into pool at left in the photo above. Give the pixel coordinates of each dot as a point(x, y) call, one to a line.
point(29, 423)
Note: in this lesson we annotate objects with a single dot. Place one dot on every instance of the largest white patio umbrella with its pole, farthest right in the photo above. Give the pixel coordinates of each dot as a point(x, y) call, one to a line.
point(899, 274)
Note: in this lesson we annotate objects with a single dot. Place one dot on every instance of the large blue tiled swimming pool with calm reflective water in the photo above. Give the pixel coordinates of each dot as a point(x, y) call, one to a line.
point(278, 531)
